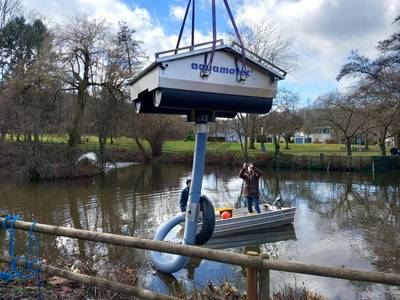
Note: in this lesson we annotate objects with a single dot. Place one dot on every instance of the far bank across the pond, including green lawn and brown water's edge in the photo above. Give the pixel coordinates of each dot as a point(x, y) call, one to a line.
point(330, 157)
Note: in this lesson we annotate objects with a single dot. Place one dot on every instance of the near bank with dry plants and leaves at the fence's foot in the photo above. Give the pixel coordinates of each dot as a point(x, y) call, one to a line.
point(53, 287)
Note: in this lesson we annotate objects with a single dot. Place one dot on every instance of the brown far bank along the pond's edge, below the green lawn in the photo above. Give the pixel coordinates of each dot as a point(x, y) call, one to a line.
point(53, 161)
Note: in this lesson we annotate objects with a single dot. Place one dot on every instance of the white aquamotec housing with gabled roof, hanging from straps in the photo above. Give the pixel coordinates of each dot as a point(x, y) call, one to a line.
point(174, 82)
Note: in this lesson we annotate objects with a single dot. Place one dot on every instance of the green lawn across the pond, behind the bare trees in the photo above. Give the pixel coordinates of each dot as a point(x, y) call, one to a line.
point(180, 146)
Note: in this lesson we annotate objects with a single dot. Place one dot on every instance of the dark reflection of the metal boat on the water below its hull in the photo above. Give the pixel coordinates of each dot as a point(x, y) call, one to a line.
point(258, 237)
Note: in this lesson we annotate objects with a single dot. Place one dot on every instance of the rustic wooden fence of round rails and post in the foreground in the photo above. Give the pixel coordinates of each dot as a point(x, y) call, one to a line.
point(259, 265)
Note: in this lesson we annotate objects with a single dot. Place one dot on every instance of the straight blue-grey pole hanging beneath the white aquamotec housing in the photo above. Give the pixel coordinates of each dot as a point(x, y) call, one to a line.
point(193, 208)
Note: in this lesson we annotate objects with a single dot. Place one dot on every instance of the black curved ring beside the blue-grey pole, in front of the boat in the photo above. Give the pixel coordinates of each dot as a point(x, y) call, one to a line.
point(207, 228)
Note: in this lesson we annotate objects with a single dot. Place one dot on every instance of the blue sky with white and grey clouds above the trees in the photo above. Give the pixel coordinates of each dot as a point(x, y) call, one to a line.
point(322, 32)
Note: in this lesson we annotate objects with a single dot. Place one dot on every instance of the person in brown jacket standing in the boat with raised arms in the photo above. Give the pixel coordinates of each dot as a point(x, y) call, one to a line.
point(251, 176)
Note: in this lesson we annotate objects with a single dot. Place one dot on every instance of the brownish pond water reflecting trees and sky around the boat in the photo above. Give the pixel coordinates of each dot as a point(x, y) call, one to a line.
point(342, 220)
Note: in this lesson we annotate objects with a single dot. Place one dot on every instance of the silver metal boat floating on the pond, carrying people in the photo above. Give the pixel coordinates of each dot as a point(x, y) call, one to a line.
point(243, 222)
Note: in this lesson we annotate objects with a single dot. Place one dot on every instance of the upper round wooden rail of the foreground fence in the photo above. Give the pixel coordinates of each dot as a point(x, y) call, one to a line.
point(256, 262)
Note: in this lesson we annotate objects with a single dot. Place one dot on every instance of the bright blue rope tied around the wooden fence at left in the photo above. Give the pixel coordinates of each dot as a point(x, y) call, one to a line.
point(27, 271)
